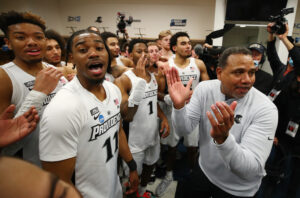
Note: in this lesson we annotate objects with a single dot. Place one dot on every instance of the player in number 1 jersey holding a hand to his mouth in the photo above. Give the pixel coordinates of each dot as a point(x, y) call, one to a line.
point(139, 107)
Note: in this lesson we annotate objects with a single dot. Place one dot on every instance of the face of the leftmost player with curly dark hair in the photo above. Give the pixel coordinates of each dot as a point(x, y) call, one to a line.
point(27, 42)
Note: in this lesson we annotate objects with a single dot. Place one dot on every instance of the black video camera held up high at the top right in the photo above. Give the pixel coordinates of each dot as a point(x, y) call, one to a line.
point(280, 21)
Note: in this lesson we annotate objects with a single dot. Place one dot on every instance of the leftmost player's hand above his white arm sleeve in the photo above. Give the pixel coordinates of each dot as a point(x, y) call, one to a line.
point(47, 79)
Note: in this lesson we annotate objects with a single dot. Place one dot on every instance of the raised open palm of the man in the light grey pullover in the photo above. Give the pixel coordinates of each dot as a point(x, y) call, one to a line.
point(178, 93)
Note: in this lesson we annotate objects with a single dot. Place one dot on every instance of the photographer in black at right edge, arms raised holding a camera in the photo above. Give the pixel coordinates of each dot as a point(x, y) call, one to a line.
point(286, 96)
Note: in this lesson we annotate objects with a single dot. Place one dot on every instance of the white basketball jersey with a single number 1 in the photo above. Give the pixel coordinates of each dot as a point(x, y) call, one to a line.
point(143, 130)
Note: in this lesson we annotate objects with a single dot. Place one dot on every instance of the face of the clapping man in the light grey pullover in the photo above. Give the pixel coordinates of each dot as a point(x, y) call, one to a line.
point(238, 76)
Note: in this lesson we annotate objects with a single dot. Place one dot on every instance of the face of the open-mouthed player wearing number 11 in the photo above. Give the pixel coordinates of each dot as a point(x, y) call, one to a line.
point(90, 57)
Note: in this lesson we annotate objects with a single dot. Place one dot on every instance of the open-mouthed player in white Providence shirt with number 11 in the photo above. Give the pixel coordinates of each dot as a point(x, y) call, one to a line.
point(81, 127)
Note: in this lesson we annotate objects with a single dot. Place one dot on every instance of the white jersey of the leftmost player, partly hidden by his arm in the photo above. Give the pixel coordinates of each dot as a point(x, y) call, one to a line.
point(22, 84)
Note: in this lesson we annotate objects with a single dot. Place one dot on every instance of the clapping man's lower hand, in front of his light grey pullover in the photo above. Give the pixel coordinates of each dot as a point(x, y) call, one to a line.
point(224, 120)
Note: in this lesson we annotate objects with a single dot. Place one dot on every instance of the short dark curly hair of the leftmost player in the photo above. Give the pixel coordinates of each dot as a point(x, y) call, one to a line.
point(13, 17)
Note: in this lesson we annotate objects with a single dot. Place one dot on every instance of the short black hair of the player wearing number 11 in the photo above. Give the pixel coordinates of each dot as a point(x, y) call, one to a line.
point(79, 32)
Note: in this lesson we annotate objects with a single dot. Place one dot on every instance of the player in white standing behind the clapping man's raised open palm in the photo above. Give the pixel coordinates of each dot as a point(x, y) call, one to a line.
point(188, 68)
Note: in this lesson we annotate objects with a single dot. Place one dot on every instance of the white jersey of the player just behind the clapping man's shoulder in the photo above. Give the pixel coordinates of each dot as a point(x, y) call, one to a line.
point(190, 71)
